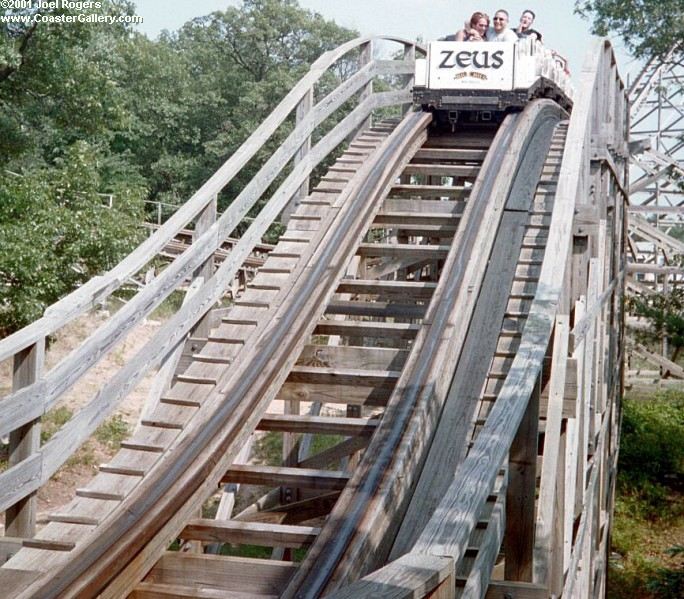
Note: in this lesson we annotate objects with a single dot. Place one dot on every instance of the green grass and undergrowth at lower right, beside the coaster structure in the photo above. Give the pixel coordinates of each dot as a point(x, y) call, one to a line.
point(649, 509)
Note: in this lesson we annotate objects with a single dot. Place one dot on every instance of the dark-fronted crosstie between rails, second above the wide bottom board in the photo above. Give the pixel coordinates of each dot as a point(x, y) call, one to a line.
point(325, 480)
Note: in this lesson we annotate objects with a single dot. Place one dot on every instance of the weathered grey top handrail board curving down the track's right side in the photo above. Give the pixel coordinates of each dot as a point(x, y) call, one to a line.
point(474, 479)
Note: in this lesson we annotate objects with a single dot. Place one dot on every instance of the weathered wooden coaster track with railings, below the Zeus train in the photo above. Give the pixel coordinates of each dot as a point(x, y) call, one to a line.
point(458, 298)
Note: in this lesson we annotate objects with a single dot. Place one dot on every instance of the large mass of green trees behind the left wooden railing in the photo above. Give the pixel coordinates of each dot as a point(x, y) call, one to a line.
point(91, 109)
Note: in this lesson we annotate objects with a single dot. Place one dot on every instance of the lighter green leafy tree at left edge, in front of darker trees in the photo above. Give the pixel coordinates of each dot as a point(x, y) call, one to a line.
point(57, 232)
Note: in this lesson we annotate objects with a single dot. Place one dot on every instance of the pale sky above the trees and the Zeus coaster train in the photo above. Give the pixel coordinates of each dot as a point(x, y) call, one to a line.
point(564, 31)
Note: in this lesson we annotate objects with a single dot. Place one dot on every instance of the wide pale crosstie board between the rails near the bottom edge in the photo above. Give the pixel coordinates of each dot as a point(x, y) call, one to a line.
point(245, 575)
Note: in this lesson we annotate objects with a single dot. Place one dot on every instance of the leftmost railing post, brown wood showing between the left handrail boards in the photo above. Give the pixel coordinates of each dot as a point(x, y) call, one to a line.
point(20, 519)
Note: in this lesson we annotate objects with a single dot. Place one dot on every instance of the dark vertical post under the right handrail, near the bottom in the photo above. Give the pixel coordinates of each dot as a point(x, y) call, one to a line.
point(520, 493)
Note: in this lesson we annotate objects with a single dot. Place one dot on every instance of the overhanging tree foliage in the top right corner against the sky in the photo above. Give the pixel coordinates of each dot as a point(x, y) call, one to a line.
point(648, 27)
